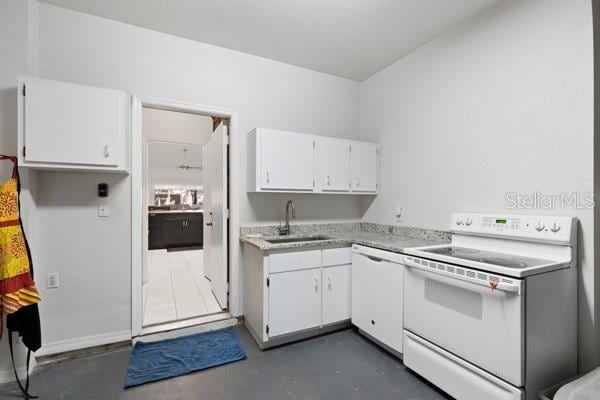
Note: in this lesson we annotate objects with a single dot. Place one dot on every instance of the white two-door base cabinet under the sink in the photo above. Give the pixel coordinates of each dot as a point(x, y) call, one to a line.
point(291, 294)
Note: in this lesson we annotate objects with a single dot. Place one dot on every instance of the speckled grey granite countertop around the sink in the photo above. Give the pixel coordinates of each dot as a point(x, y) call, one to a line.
point(385, 237)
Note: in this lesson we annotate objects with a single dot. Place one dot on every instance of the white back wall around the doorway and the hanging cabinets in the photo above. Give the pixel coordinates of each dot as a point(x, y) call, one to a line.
point(92, 254)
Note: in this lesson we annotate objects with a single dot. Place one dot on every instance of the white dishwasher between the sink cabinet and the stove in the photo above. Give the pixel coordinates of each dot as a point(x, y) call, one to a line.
point(377, 295)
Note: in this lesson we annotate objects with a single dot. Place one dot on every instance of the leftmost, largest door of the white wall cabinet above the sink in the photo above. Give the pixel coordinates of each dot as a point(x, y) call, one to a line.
point(286, 160)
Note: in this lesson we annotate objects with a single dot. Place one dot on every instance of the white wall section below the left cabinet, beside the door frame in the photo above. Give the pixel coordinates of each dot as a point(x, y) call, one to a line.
point(91, 255)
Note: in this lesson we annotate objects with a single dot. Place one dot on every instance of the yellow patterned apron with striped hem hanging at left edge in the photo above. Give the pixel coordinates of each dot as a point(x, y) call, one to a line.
point(17, 288)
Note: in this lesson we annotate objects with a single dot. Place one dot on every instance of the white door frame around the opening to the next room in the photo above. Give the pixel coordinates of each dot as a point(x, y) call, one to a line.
point(137, 140)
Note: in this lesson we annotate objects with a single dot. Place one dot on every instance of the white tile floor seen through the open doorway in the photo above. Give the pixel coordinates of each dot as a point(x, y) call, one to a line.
point(177, 288)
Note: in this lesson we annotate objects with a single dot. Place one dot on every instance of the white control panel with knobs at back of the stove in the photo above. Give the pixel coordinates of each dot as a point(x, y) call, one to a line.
point(544, 228)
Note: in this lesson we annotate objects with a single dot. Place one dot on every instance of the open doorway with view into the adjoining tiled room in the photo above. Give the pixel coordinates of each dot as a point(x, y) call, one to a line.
point(184, 219)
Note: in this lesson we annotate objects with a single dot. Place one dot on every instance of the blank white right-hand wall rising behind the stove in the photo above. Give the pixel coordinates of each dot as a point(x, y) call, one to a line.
point(502, 103)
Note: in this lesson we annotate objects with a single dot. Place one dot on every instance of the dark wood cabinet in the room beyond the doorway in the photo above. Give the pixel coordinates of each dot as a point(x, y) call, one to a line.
point(175, 229)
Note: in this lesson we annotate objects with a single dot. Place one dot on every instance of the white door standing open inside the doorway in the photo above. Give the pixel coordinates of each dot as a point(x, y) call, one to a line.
point(214, 155)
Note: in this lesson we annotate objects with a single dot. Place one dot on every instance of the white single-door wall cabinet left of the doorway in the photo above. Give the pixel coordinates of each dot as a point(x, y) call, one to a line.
point(68, 126)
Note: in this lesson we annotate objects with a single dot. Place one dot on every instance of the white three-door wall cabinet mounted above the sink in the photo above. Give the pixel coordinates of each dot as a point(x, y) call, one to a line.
point(282, 161)
